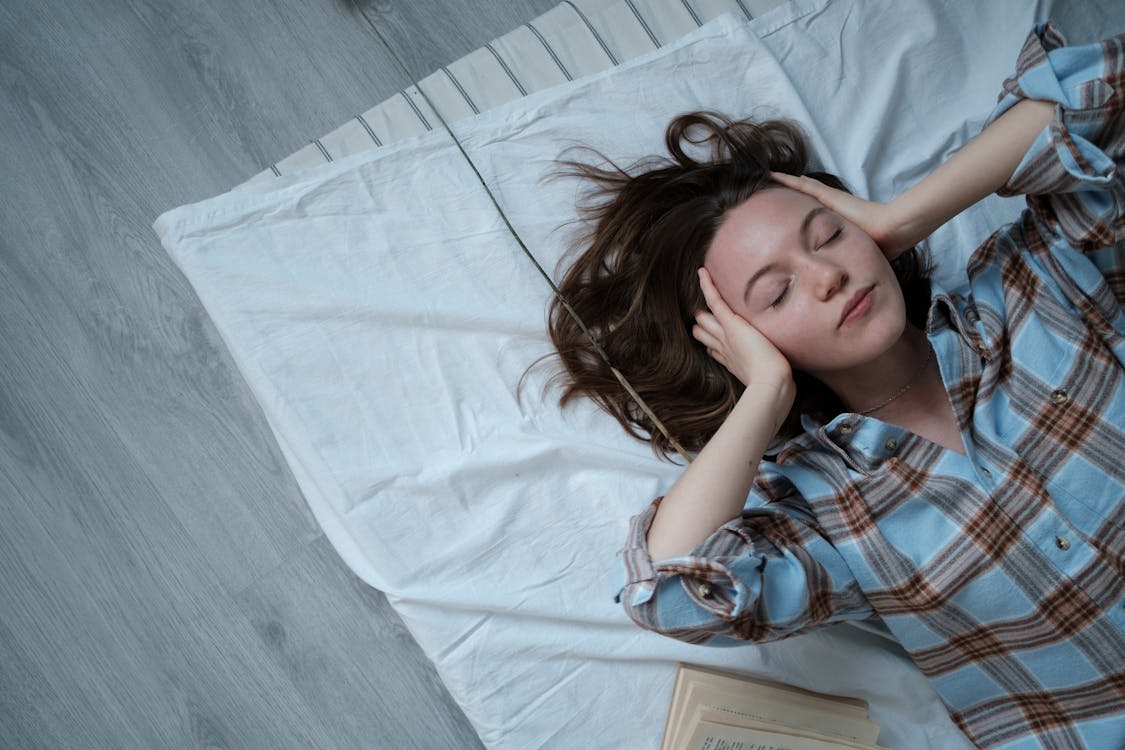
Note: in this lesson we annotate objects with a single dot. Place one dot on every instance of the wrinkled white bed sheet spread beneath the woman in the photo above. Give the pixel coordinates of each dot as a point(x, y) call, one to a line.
point(383, 315)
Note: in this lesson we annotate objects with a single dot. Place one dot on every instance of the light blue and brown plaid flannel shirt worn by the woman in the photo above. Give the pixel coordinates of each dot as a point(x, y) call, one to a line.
point(1001, 572)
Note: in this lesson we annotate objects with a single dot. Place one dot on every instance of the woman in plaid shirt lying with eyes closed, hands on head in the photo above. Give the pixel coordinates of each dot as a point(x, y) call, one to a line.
point(948, 462)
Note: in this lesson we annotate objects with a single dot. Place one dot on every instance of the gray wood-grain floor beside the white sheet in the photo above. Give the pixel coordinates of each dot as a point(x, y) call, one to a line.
point(163, 584)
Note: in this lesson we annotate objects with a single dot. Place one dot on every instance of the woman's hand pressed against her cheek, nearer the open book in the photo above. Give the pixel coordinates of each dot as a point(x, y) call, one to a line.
point(737, 346)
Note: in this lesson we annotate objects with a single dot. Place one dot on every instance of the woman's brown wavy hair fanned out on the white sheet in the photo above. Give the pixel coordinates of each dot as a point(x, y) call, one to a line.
point(635, 284)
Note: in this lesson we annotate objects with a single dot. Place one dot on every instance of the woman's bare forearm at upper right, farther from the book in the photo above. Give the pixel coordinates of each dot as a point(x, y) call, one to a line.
point(983, 167)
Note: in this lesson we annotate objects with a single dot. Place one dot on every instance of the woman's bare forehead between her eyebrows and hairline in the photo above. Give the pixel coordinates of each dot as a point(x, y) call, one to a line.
point(766, 224)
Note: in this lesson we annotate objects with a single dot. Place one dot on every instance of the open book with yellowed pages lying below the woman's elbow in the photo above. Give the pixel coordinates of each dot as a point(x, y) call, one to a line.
point(718, 711)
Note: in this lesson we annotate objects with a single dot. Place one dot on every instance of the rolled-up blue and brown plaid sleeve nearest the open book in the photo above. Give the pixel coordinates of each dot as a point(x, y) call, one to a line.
point(764, 576)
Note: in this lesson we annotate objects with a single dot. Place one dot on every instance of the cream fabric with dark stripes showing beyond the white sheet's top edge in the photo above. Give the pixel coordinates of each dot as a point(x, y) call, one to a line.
point(573, 40)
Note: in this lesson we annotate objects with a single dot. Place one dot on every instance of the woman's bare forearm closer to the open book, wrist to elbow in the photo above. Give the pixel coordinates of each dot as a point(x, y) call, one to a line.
point(713, 491)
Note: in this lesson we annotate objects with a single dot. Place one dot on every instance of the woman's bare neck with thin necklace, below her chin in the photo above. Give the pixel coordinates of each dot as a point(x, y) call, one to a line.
point(881, 382)
